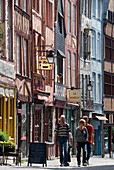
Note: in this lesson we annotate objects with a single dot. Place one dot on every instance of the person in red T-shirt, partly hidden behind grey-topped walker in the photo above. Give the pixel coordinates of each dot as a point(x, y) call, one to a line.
point(90, 141)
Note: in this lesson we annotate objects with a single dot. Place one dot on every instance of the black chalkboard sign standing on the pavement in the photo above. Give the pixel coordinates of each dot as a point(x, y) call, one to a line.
point(37, 153)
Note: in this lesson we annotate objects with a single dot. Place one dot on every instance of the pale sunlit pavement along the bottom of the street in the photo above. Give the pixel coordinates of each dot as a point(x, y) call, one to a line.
point(96, 163)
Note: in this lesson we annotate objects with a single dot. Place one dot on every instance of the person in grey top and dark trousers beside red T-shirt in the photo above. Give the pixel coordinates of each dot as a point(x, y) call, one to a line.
point(81, 137)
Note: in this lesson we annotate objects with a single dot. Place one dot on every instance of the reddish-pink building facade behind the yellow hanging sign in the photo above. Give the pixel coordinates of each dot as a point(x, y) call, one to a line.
point(42, 79)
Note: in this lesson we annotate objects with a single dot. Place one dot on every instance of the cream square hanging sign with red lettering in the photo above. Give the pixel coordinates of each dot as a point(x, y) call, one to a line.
point(74, 96)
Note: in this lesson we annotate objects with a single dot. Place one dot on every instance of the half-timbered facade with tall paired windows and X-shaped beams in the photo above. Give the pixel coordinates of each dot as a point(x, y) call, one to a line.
point(22, 41)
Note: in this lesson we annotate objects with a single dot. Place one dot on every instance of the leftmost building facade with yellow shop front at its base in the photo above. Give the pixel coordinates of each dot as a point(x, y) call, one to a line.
point(7, 71)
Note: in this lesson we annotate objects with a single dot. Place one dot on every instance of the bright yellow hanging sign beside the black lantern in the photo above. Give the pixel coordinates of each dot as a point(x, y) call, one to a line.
point(43, 63)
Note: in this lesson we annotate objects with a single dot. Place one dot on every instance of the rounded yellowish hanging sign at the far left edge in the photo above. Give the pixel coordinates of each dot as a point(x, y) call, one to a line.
point(2, 33)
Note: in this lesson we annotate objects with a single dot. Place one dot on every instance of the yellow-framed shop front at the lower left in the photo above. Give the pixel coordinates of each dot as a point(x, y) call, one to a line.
point(8, 110)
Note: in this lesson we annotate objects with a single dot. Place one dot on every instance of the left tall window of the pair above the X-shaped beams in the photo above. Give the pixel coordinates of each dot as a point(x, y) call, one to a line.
point(18, 54)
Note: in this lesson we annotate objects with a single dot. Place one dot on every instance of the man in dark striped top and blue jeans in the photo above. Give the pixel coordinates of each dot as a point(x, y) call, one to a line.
point(62, 131)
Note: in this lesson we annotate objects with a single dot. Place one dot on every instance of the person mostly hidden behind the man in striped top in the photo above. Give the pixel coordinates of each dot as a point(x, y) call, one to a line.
point(70, 146)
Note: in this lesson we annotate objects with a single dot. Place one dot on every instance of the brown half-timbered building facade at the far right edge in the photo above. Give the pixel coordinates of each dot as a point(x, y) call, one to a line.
point(109, 77)
